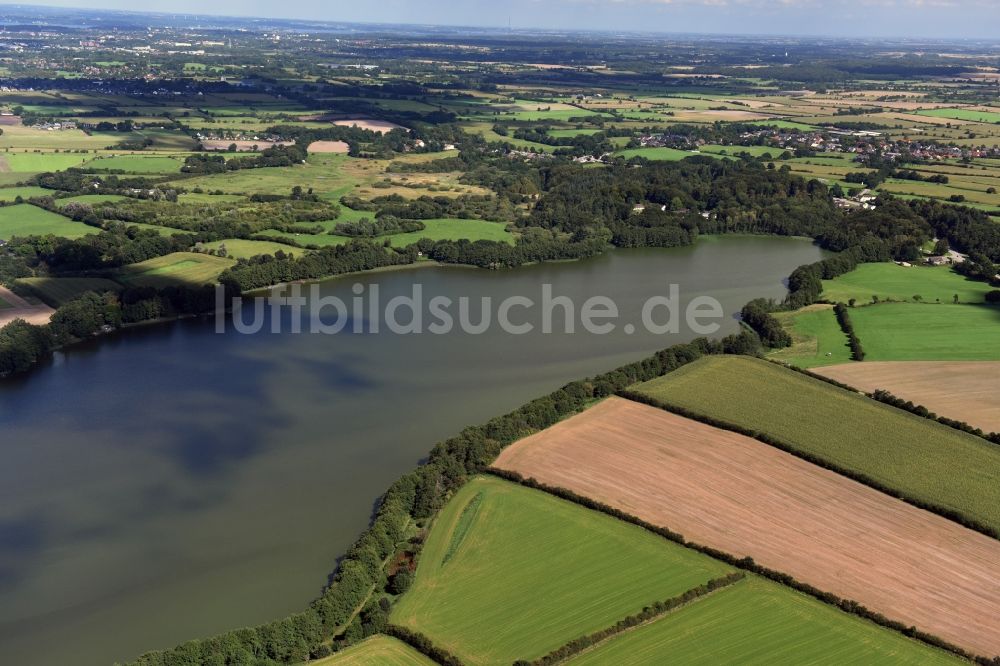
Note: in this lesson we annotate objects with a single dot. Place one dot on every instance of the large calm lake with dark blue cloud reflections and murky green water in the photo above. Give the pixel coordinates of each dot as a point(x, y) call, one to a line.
point(172, 482)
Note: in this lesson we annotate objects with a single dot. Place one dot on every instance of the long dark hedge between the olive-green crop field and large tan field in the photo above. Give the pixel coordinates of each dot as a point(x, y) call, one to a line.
point(860, 477)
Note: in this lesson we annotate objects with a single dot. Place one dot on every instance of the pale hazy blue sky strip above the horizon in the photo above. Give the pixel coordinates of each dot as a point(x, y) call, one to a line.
point(850, 18)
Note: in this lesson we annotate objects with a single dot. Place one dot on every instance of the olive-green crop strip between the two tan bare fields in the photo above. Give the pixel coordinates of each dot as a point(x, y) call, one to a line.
point(926, 460)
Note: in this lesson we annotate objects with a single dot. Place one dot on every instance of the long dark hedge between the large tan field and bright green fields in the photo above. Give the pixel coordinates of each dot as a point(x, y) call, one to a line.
point(746, 564)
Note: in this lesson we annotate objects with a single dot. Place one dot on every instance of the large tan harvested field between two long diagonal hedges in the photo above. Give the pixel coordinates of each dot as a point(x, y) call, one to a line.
point(736, 494)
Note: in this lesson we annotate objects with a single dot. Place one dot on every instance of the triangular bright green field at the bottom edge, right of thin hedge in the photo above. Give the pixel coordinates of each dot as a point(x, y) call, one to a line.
point(756, 621)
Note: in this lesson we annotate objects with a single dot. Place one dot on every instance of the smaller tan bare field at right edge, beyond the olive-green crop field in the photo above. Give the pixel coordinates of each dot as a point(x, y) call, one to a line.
point(962, 390)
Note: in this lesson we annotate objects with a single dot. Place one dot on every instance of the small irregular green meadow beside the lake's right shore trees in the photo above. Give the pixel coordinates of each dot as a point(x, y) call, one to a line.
point(817, 338)
